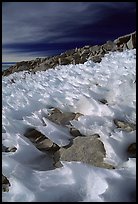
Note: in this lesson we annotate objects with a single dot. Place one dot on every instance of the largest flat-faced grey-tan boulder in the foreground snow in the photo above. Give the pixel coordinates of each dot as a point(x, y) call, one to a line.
point(87, 149)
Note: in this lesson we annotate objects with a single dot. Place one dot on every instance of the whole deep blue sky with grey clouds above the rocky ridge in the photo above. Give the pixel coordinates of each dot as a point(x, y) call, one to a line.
point(41, 29)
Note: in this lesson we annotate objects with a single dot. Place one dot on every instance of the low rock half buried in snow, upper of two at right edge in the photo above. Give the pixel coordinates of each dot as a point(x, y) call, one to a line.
point(126, 126)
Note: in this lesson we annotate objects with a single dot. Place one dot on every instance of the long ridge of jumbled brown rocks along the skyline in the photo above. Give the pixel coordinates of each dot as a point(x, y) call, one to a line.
point(75, 56)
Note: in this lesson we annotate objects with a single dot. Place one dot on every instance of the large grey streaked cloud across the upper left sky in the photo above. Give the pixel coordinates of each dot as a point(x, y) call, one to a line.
point(31, 21)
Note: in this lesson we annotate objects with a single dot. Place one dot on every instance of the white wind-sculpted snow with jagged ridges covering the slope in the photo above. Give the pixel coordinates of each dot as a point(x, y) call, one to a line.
point(74, 88)
